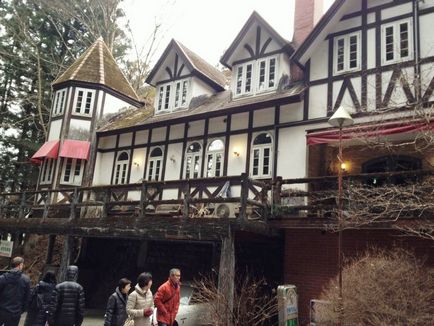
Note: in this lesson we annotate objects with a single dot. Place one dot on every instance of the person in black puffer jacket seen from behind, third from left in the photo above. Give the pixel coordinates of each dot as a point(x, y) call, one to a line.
point(67, 307)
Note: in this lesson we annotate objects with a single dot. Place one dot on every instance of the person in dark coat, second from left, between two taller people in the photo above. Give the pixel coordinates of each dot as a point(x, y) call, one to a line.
point(40, 299)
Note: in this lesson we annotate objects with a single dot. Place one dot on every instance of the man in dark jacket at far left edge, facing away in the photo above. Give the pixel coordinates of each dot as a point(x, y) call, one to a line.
point(14, 293)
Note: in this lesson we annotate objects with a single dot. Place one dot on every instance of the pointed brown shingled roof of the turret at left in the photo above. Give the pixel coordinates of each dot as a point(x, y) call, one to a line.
point(97, 66)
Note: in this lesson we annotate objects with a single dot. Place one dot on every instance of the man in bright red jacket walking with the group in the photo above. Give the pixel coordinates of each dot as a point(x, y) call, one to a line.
point(167, 299)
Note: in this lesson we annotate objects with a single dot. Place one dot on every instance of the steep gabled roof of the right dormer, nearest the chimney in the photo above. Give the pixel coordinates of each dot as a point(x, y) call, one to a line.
point(255, 18)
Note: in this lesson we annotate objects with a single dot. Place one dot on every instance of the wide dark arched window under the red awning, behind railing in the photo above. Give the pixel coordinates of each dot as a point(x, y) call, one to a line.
point(392, 163)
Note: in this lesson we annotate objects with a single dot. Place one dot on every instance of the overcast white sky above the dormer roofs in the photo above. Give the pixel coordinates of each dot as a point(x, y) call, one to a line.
point(204, 26)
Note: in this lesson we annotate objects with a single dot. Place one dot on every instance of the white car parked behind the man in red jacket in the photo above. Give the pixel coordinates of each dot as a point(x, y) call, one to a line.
point(189, 313)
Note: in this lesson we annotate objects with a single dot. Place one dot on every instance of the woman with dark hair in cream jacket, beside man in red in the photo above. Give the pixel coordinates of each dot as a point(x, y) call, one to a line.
point(140, 303)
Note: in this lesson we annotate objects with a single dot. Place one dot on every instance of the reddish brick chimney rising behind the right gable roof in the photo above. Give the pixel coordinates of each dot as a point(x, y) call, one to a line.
point(307, 13)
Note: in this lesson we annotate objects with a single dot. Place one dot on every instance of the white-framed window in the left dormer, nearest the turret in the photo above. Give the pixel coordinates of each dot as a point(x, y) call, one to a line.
point(172, 96)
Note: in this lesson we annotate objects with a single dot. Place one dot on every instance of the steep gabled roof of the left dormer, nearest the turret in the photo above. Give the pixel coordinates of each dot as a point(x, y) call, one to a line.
point(198, 66)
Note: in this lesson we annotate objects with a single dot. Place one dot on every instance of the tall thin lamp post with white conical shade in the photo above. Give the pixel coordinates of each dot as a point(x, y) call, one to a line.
point(341, 118)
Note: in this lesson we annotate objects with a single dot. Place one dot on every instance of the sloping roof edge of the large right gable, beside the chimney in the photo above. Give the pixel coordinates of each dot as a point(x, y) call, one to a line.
point(320, 30)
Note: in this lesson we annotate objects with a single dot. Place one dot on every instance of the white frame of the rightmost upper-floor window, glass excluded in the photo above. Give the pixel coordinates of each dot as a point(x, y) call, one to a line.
point(397, 41)
